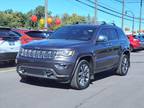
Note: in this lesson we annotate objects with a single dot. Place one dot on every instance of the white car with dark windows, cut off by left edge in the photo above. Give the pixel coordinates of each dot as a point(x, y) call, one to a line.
point(9, 44)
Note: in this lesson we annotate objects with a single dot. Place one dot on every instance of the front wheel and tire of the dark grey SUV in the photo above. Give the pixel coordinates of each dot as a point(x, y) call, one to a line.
point(81, 78)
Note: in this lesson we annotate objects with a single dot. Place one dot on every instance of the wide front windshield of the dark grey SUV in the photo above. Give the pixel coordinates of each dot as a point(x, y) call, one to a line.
point(83, 33)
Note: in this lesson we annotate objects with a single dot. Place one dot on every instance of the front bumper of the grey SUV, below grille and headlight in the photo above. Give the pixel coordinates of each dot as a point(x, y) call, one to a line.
point(60, 71)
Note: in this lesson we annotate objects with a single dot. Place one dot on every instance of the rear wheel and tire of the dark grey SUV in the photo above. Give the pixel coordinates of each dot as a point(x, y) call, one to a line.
point(123, 67)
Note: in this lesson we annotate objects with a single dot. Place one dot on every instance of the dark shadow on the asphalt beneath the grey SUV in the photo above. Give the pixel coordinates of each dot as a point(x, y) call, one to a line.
point(54, 84)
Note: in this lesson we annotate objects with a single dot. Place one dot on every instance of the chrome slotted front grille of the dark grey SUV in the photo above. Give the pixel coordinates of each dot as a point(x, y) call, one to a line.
point(41, 54)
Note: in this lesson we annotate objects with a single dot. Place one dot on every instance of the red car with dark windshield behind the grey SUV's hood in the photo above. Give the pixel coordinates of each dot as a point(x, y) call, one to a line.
point(34, 35)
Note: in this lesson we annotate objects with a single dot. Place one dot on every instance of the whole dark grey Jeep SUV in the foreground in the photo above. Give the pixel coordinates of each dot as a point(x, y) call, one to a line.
point(74, 53)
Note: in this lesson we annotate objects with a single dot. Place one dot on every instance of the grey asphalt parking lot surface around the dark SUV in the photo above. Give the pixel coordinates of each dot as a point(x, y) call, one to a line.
point(107, 91)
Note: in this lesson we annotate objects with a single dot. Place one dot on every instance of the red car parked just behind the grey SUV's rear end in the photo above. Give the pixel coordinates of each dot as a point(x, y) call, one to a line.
point(134, 43)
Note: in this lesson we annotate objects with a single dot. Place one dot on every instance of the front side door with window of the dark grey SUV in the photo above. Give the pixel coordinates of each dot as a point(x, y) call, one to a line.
point(103, 51)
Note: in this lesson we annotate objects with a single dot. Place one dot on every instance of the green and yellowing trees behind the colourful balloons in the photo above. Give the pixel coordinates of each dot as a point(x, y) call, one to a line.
point(10, 18)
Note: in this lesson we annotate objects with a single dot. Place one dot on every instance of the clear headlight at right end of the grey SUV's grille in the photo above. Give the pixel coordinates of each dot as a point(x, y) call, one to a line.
point(64, 53)
